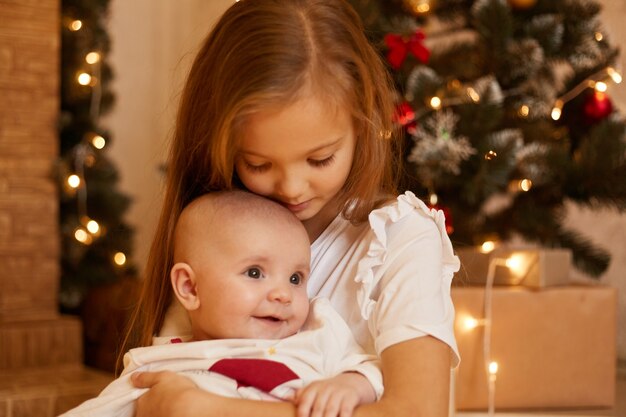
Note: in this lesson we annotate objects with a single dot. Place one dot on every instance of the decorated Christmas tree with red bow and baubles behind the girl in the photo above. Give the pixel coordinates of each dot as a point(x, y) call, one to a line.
point(506, 114)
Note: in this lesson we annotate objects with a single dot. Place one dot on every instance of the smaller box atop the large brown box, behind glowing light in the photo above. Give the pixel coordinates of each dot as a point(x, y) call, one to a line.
point(534, 268)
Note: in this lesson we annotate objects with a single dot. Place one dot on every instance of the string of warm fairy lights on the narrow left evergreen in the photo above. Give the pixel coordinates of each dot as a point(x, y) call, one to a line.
point(88, 229)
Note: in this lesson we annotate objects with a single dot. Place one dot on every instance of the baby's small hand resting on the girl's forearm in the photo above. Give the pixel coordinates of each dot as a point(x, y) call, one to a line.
point(334, 397)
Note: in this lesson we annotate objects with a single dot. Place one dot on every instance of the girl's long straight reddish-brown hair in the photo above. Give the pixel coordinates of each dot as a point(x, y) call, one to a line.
point(261, 53)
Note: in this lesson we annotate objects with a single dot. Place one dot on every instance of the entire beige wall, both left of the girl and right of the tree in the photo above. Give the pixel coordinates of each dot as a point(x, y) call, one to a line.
point(153, 44)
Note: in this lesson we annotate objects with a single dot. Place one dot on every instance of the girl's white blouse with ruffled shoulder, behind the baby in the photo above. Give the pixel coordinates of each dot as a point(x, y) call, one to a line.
point(389, 278)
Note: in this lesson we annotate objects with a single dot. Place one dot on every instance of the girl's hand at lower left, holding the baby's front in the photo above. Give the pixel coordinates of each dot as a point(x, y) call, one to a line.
point(169, 394)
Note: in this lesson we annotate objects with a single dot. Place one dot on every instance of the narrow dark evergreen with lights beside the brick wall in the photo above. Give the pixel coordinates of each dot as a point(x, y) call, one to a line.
point(95, 240)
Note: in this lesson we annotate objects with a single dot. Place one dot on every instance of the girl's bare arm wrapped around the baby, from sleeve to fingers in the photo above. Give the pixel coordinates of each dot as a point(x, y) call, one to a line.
point(416, 376)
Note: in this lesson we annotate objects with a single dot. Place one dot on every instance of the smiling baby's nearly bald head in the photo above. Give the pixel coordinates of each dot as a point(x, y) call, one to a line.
point(240, 267)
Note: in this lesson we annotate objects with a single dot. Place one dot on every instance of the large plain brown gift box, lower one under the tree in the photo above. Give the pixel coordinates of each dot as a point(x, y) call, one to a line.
point(556, 348)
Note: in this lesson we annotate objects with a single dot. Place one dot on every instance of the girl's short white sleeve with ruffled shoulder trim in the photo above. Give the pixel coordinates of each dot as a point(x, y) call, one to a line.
point(404, 281)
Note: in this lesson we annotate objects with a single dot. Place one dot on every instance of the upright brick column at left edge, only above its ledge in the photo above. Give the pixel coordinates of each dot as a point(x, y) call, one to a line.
point(29, 103)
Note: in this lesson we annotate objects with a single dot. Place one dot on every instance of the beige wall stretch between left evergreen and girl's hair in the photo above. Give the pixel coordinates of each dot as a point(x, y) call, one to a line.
point(153, 46)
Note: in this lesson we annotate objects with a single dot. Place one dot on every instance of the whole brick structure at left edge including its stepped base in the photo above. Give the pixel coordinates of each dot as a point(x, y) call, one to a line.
point(41, 372)
